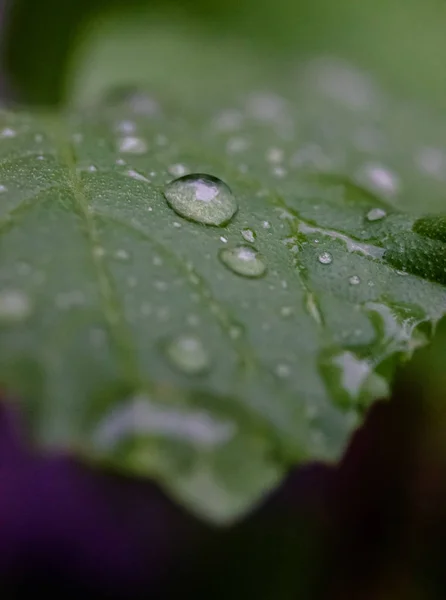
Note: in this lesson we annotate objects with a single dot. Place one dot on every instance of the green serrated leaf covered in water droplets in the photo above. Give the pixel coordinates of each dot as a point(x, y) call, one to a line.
point(129, 332)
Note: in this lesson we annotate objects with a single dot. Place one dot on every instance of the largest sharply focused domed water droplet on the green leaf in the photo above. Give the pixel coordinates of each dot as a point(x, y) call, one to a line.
point(201, 198)
